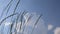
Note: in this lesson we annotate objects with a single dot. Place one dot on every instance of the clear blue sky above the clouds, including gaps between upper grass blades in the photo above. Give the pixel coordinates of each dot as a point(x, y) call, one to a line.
point(49, 8)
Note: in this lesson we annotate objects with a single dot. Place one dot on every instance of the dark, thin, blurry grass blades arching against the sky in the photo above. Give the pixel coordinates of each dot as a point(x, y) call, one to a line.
point(18, 18)
